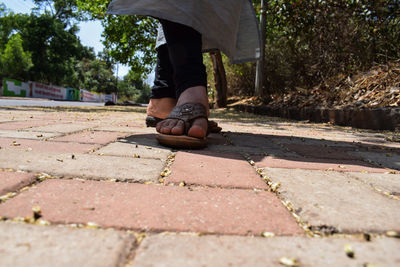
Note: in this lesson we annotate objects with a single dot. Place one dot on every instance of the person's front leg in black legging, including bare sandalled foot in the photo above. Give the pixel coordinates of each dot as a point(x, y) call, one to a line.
point(190, 78)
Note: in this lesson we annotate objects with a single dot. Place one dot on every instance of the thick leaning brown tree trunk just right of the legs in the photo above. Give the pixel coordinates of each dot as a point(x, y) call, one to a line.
point(221, 85)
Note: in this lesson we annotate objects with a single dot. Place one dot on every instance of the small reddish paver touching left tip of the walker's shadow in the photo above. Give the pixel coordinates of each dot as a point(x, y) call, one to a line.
point(92, 137)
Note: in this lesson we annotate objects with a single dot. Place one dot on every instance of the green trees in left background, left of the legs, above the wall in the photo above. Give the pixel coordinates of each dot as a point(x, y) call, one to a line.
point(46, 42)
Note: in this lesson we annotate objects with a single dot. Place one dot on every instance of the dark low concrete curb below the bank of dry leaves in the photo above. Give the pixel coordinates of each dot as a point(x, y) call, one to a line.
point(376, 119)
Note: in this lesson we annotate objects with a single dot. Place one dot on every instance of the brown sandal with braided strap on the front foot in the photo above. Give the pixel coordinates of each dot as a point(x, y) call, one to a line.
point(187, 113)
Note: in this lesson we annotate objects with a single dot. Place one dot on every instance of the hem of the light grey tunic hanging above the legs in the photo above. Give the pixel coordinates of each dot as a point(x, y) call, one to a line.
point(228, 25)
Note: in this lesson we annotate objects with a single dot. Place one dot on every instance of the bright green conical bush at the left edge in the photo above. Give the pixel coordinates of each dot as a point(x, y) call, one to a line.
point(14, 61)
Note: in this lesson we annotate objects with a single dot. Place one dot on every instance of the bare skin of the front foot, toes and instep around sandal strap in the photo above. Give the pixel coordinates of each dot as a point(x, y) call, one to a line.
point(199, 126)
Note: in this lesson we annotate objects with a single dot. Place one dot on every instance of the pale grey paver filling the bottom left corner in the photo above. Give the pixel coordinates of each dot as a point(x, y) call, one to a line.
point(29, 245)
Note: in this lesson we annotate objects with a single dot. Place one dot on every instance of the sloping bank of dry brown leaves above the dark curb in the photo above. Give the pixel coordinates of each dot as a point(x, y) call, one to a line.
point(377, 88)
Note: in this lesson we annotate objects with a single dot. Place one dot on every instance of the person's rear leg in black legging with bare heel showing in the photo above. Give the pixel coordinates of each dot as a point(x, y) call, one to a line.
point(163, 95)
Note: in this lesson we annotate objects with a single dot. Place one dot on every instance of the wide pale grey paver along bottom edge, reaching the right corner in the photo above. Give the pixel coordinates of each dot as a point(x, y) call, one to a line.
point(186, 250)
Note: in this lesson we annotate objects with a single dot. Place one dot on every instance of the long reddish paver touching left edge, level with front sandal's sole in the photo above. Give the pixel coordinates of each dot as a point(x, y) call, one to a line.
point(45, 146)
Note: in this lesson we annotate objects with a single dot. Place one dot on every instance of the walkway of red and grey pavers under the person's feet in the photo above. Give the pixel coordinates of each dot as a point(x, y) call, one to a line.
point(90, 186)
